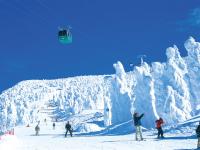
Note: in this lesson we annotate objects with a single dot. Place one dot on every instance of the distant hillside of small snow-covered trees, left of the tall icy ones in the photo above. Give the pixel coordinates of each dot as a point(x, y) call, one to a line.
point(21, 104)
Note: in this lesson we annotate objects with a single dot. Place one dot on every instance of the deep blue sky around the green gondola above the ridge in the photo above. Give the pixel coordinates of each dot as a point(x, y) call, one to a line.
point(104, 31)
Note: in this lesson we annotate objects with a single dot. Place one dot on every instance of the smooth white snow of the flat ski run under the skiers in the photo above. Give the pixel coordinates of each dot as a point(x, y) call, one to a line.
point(49, 139)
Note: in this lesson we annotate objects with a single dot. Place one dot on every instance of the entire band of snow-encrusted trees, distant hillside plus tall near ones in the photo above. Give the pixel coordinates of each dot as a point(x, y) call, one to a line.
point(170, 90)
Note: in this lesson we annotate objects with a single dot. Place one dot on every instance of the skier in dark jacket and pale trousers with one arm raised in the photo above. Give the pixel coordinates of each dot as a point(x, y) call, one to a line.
point(137, 123)
